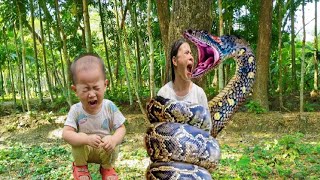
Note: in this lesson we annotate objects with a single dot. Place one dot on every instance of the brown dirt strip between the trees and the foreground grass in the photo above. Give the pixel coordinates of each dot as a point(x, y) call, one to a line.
point(245, 127)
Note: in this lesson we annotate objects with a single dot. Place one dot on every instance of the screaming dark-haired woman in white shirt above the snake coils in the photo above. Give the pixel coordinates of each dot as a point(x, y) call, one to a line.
point(181, 88)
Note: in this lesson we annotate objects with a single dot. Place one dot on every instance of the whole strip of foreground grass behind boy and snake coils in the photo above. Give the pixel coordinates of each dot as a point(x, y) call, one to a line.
point(288, 157)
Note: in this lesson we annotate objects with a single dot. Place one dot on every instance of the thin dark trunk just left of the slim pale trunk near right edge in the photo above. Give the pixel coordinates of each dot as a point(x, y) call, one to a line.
point(293, 48)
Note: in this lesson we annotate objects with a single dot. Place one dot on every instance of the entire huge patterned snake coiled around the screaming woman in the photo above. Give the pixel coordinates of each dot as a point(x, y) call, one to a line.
point(181, 140)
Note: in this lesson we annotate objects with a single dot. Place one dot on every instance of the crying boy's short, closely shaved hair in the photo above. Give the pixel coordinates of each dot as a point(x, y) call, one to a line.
point(100, 62)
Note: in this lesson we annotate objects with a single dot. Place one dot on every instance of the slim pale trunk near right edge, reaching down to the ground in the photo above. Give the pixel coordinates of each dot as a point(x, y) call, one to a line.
point(302, 63)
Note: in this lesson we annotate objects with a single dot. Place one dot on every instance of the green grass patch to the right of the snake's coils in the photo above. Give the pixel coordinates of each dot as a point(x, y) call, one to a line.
point(285, 158)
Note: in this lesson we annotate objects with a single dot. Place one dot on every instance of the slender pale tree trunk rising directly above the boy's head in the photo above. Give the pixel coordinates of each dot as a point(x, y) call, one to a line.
point(87, 26)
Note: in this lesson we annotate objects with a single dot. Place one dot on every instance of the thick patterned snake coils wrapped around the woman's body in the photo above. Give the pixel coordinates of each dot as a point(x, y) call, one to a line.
point(179, 138)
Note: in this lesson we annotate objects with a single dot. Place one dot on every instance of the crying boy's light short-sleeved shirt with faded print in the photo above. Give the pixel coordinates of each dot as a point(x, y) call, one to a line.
point(103, 123)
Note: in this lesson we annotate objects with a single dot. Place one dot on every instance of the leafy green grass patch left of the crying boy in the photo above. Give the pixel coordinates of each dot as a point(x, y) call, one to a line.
point(36, 161)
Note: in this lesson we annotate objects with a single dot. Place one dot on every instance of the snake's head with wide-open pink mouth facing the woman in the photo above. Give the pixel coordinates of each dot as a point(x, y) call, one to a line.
point(208, 51)
